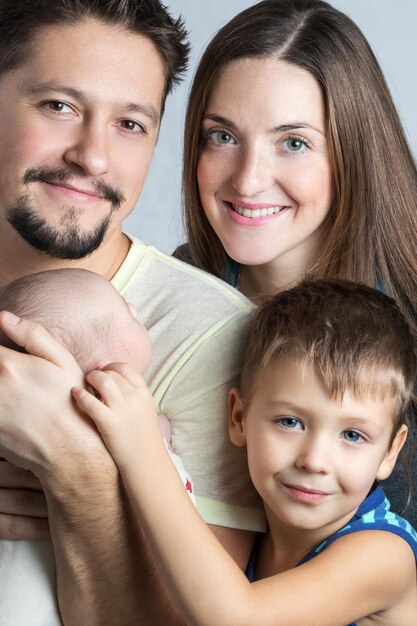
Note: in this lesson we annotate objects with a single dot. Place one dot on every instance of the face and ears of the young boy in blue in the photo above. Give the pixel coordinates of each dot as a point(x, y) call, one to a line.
point(313, 458)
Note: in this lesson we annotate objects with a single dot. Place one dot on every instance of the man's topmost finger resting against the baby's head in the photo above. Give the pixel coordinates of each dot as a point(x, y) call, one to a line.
point(34, 339)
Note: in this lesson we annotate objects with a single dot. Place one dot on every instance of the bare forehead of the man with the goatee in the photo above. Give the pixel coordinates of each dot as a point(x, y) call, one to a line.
point(89, 57)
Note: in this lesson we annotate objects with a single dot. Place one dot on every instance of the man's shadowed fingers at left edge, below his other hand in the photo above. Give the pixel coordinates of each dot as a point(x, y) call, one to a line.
point(23, 511)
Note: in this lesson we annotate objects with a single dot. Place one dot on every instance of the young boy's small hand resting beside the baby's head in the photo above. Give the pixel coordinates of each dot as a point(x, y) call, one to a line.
point(124, 413)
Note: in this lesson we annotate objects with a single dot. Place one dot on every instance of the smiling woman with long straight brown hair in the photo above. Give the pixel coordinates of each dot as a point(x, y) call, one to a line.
point(296, 162)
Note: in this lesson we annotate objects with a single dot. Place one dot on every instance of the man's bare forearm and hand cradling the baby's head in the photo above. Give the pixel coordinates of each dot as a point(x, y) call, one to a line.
point(105, 572)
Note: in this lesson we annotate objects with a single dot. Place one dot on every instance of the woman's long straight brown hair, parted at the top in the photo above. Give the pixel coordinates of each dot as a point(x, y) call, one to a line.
point(371, 227)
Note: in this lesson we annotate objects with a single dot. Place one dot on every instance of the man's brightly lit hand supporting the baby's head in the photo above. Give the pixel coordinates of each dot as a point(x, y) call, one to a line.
point(39, 424)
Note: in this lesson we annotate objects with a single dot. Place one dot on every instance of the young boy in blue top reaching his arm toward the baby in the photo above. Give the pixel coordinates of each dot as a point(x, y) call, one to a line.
point(325, 395)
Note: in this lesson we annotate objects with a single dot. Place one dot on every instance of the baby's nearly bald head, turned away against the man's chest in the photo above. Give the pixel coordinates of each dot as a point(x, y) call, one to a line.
point(84, 312)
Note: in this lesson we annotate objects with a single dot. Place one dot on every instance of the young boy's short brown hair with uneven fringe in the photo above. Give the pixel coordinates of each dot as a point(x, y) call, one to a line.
point(354, 335)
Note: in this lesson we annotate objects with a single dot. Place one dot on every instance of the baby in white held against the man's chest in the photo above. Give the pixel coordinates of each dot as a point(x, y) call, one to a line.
point(87, 315)
